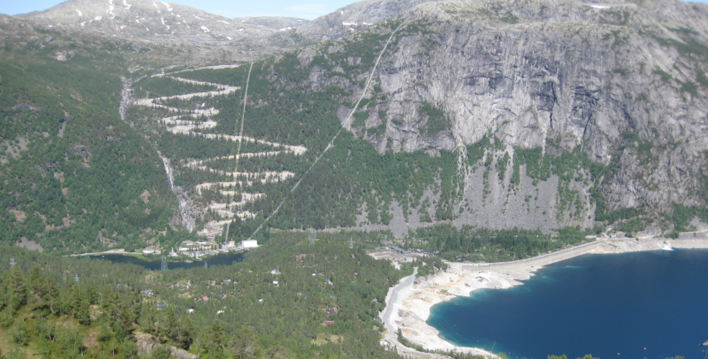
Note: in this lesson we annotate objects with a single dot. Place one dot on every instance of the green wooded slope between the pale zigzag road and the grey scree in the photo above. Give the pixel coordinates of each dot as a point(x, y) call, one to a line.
point(350, 175)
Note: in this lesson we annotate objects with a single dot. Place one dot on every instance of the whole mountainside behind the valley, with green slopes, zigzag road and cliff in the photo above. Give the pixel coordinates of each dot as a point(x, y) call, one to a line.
point(438, 114)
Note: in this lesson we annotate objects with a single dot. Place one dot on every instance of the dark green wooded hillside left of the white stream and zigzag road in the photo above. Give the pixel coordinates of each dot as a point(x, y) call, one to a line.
point(74, 176)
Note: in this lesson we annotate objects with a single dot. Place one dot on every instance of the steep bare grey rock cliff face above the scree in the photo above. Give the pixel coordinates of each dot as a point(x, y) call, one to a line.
point(625, 82)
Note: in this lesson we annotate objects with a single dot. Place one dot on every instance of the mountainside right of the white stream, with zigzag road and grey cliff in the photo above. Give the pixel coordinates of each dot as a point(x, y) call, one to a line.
point(429, 140)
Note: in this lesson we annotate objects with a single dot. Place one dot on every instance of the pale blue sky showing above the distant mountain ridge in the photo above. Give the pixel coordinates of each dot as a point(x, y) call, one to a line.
point(304, 9)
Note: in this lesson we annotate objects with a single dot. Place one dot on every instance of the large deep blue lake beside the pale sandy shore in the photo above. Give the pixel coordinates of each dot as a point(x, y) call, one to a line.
point(610, 306)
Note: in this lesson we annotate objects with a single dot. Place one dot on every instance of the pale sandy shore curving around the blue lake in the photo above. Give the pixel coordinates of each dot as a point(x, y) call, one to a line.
point(409, 303)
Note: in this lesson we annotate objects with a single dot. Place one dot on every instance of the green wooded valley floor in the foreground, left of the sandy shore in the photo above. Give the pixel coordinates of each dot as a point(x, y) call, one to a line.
point(41, 307)
